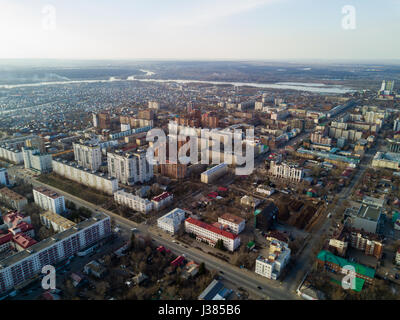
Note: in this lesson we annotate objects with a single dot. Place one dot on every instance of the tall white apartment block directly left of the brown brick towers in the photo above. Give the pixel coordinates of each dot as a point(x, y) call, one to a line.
point(129, 168)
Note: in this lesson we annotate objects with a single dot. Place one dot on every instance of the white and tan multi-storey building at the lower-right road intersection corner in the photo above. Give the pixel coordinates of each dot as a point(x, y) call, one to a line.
point(272, 266)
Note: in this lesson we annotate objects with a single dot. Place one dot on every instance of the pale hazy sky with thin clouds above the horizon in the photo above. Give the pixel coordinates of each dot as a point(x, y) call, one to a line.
point(199, 30)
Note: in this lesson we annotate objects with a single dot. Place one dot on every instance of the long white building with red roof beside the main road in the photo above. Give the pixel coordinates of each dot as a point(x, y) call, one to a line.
point(211, 234)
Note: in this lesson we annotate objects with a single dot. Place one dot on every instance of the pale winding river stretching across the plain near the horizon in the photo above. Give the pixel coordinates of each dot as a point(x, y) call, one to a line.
point(298, 86)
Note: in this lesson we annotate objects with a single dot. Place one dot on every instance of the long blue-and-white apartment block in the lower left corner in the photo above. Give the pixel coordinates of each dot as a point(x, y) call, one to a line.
point(26, 264)
